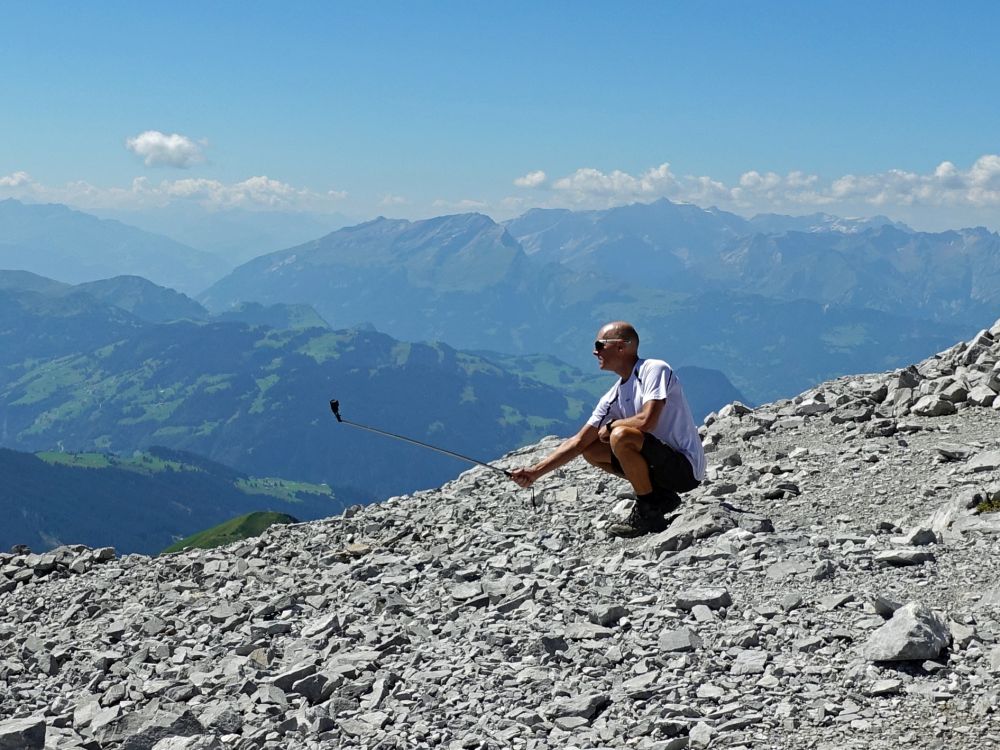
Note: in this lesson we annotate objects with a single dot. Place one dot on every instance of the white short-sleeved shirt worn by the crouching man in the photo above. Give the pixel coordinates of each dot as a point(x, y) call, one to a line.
point(654, 380)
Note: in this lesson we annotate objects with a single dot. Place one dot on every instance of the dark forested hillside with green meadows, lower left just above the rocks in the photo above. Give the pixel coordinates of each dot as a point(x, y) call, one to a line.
point(141, 502)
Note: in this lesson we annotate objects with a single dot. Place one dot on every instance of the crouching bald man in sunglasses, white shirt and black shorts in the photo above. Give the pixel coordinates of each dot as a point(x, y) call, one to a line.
point(641, 430)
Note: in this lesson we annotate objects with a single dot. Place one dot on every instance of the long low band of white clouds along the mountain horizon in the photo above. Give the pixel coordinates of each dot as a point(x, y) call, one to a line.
point(945, 197)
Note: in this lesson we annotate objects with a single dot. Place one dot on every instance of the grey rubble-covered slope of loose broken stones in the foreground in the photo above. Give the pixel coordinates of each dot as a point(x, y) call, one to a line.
point(831, 585)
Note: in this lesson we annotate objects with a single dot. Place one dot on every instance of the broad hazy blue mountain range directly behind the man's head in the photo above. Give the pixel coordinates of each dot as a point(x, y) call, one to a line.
point(775, 312)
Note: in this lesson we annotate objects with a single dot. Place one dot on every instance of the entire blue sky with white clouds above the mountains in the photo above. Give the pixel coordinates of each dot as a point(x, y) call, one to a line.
point(415, 109)
